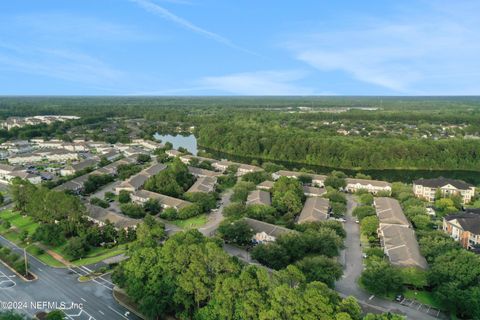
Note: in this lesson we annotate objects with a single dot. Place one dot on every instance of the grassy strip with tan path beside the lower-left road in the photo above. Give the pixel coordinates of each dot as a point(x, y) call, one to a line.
point(13, 225)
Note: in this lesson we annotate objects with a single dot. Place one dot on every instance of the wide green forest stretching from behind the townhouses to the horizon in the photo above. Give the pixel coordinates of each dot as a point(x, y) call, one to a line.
point(362, 133)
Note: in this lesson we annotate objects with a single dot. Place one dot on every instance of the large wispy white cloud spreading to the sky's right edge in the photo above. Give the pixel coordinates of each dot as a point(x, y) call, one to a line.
point(430, 52)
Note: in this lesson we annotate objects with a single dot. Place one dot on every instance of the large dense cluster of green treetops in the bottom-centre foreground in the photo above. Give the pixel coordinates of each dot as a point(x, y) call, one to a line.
point(190, 276)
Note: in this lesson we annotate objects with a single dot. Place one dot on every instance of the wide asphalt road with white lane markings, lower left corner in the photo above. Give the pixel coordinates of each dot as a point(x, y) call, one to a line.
point(91, 300)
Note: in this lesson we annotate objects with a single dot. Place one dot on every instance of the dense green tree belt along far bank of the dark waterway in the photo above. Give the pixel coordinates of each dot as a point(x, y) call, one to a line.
point(294, 145)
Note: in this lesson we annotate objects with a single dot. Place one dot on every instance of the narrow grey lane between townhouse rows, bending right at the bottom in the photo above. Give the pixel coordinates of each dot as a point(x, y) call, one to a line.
point(353, 266)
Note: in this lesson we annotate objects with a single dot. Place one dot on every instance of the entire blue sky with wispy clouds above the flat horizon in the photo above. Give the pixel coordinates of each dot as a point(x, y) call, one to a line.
point(249, 47)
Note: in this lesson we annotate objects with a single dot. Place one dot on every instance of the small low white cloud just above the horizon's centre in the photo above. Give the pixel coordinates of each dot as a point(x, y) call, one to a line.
point(257, 83)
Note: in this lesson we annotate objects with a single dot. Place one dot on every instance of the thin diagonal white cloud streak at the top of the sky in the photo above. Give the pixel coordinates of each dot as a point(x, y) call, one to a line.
point(167, 15)
